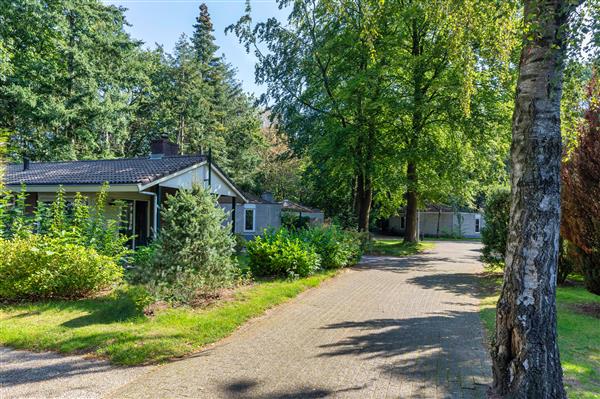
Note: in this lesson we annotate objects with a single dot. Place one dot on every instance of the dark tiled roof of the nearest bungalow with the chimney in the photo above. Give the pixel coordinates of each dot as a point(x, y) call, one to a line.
point(113, 171)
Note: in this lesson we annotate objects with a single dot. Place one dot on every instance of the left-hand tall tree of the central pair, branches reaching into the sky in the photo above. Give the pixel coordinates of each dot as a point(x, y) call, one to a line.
point(325, 82)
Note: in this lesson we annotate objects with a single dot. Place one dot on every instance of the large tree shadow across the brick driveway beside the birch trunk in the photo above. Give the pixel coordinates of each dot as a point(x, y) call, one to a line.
point(444, 350)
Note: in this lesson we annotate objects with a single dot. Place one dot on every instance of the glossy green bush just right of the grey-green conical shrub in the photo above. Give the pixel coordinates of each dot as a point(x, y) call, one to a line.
point(281, 253)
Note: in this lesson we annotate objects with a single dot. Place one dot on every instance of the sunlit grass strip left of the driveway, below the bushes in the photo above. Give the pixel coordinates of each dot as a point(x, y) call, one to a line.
point(106, 328)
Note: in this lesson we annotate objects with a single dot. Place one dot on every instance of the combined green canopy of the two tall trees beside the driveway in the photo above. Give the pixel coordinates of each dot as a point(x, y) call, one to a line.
point(362, 92)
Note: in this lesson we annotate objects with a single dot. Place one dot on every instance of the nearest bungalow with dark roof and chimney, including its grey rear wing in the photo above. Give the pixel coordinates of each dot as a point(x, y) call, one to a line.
point(142, 184)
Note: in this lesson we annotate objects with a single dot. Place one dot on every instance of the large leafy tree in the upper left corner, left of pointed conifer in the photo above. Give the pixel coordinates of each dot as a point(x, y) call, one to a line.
point(68, 91)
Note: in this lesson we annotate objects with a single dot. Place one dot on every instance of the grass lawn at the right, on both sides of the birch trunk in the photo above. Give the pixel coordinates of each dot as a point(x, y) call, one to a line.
point(578, 336)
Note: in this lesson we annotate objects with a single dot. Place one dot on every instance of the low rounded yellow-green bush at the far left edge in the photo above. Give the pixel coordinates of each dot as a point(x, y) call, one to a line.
point(39, 267)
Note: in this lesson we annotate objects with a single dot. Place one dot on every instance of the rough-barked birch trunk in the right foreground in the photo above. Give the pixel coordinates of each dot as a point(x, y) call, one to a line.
point(526, 362)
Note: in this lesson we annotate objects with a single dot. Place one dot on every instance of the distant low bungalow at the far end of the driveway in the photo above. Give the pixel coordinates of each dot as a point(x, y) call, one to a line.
point(440, 221)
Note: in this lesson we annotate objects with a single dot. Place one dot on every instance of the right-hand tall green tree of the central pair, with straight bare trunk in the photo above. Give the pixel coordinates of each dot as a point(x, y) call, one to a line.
point(451, 80)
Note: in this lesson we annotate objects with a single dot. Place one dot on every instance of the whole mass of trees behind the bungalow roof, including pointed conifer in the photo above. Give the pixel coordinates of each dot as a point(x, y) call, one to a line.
point(84, 89)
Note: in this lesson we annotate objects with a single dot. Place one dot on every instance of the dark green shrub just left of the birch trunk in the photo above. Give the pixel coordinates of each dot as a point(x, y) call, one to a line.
point(494, 235)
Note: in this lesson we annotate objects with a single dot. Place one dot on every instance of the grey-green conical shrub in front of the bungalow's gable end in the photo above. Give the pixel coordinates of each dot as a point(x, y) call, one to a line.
point(194, 253)
